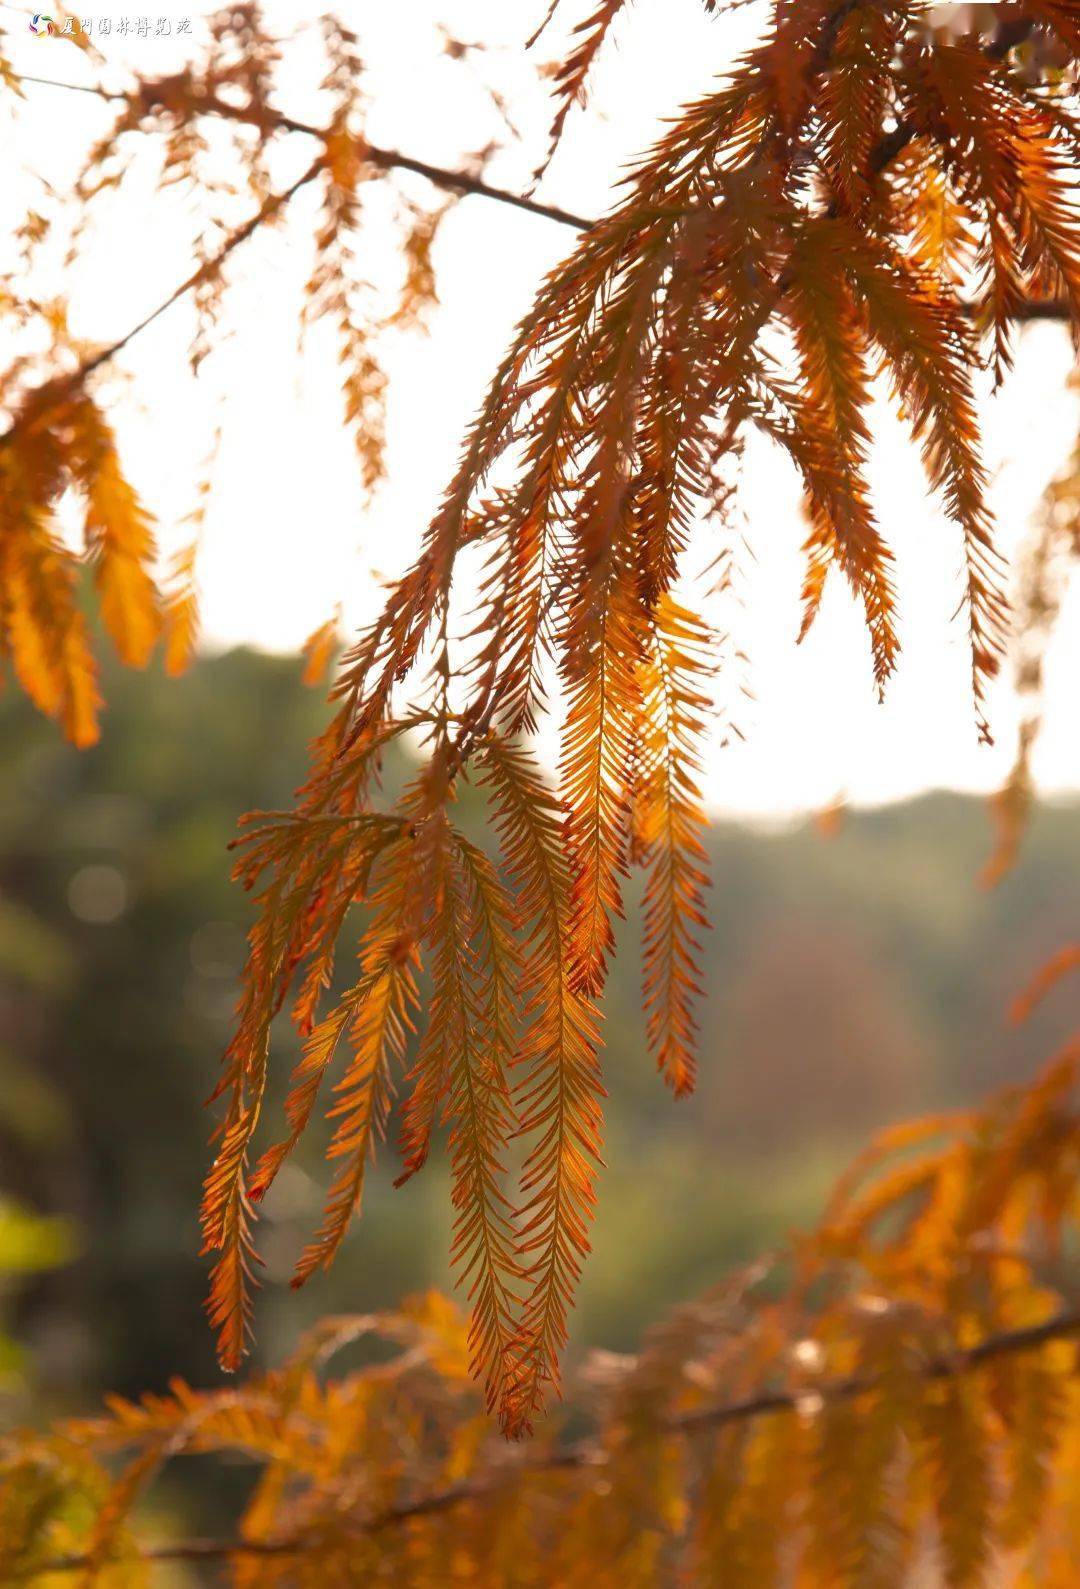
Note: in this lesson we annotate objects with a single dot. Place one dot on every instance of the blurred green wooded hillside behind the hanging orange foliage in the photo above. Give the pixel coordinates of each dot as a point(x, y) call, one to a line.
point(850, 981)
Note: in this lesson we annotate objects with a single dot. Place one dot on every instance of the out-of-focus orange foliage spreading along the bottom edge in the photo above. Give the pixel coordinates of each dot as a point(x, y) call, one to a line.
point(895, 1394)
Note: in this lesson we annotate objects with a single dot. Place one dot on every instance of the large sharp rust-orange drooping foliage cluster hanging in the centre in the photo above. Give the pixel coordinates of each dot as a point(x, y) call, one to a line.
point(863, 203)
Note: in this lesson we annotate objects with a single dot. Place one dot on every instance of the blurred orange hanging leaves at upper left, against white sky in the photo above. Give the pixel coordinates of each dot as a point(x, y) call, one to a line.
point(58, 438)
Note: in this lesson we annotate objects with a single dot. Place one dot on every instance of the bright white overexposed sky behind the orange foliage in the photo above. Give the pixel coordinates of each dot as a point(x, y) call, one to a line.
point(287, 536)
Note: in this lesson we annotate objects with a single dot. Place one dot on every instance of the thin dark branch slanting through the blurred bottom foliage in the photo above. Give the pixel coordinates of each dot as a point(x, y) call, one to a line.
point(587, 1455)
